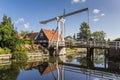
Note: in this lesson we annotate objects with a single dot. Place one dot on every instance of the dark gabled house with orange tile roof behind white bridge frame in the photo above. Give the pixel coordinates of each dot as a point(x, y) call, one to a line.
point(45, 36)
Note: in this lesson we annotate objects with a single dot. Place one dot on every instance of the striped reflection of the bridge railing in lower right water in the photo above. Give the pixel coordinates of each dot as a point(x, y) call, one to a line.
point(91, 72)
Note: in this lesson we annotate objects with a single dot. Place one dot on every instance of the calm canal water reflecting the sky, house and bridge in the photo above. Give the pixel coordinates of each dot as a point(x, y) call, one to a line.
point(71, 67)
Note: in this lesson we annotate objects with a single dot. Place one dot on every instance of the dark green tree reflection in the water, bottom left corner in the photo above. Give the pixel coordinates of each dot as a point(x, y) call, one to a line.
point(10, 71)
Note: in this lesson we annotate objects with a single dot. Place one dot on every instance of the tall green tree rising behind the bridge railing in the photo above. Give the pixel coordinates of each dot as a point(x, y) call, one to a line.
point(85, 33)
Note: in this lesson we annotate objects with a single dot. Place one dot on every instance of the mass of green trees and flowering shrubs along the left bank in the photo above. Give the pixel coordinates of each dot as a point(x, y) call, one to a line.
point(12, 43)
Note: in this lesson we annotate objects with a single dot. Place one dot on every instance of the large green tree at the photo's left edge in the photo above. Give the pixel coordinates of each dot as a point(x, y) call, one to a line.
point(8, 35)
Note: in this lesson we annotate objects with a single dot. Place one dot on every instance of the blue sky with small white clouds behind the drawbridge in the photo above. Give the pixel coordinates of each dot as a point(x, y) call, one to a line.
point(104, 15)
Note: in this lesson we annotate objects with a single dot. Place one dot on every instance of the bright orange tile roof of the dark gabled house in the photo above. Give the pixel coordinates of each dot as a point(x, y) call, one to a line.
point(50, 34)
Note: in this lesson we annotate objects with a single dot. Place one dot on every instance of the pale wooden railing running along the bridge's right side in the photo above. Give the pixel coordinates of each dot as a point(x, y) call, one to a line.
point(101, 44)
